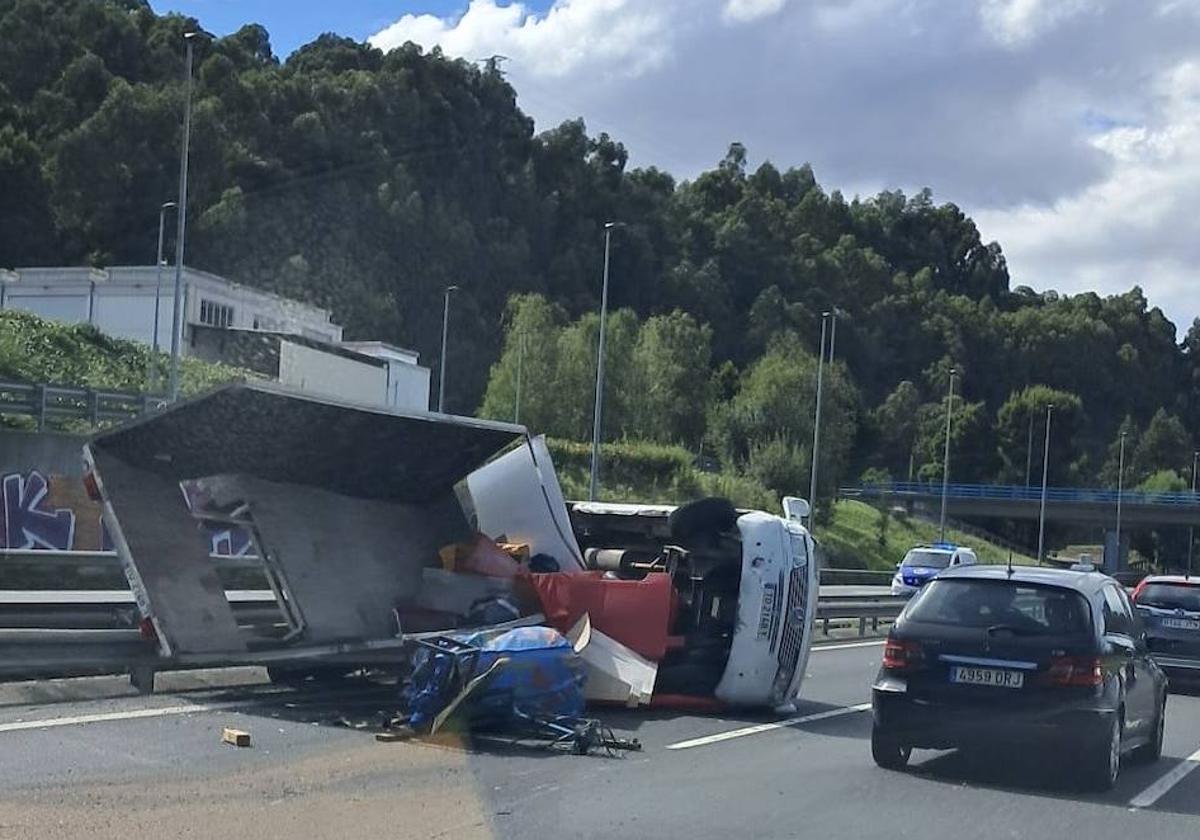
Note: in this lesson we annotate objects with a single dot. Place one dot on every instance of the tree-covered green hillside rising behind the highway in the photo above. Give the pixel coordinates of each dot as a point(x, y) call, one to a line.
point(368, 183)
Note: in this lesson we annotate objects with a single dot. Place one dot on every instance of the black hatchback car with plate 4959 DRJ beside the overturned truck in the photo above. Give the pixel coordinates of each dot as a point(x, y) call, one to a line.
point(1024, 659)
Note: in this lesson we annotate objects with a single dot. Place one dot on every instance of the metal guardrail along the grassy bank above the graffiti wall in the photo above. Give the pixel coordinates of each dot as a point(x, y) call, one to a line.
point(49, 404)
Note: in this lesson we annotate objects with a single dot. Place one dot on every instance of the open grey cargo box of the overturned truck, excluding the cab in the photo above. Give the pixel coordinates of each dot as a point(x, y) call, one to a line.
point(345, 505)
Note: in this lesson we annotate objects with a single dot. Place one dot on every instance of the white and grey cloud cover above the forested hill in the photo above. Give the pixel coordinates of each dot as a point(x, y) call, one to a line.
point(1067, 128)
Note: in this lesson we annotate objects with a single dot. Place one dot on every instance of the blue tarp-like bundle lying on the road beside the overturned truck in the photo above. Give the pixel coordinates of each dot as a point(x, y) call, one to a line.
point(543, 679)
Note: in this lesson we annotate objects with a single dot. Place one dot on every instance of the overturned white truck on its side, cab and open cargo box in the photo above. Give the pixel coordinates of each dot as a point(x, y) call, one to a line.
point(343, 511)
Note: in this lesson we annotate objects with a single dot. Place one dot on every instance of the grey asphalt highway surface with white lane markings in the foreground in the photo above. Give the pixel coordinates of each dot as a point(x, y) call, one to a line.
point(125, 766)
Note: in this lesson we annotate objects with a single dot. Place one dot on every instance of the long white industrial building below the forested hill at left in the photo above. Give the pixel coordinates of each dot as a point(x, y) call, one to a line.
point(290, 341)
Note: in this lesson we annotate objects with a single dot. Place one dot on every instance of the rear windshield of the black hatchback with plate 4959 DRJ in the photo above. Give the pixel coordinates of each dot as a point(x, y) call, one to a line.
point(1019, 608)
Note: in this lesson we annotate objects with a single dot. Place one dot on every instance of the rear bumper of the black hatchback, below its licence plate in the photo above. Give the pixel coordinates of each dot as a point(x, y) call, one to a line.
point(933, 725)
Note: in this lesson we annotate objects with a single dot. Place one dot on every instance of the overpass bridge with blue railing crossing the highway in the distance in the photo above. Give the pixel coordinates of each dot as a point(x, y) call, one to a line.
point(1064, 505)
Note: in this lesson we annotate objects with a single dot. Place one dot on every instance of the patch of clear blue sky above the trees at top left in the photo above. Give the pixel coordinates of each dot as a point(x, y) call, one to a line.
point(293, 23)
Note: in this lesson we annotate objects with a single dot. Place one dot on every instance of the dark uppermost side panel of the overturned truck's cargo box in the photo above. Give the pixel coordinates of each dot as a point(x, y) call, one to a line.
point(363, 452)
